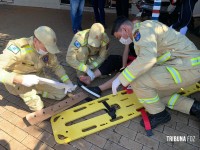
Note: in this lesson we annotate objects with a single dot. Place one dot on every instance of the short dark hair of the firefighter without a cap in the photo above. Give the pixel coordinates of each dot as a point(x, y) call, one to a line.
point(118, 22)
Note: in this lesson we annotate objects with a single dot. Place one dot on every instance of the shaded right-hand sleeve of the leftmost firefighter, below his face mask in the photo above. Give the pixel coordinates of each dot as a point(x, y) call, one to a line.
point(58, 69)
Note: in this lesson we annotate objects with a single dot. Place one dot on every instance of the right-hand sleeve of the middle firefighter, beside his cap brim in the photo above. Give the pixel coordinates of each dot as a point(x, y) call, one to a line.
point(103, 53)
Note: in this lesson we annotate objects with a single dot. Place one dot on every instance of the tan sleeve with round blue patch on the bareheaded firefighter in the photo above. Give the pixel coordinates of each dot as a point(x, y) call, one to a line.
point(146, 44)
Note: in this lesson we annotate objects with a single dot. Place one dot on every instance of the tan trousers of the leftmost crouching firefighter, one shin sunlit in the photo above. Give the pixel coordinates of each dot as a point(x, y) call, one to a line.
point(30, 95)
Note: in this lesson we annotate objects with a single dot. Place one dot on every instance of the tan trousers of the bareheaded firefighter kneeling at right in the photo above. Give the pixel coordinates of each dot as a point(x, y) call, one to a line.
point(159, 82)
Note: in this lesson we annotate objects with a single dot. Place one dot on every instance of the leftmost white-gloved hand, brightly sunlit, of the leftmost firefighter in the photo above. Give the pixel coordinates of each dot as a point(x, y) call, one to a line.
point(30, 80)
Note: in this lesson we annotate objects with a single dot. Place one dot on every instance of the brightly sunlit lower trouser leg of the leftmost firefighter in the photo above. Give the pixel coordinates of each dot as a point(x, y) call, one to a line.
point(32, 100)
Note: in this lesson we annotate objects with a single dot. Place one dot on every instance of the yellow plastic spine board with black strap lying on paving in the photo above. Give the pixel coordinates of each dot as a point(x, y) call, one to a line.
point(65, 133)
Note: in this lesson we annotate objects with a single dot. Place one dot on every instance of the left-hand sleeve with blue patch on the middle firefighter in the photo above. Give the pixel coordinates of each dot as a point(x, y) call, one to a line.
point(75, 48)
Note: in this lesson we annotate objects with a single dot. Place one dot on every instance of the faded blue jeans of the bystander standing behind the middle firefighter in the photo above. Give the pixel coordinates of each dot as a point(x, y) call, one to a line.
point(76, 14)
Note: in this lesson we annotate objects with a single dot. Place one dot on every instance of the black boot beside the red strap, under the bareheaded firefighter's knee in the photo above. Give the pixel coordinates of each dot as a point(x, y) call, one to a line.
point(159, 118)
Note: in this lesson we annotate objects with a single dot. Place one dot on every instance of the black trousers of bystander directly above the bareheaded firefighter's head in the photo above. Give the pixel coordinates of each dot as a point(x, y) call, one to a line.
point(122, 7)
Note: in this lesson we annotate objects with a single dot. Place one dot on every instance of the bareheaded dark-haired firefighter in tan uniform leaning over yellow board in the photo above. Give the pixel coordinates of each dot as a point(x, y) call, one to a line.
point(166, 61)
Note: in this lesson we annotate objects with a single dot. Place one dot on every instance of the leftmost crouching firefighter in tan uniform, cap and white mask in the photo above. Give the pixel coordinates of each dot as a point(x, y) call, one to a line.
point(23, 60)
